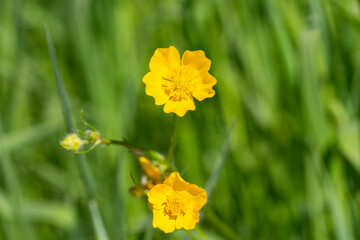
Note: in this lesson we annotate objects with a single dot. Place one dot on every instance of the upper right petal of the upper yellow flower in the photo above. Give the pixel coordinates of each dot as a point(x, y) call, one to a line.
point(194, 63)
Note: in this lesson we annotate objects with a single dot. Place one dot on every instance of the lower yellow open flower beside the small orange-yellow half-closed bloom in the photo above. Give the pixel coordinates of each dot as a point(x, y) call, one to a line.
point(176, 204)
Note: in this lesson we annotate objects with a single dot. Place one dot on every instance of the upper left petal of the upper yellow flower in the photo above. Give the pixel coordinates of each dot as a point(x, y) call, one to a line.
point(165, 61)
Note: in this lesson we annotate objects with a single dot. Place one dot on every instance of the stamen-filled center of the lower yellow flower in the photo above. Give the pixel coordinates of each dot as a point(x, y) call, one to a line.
point(176, 204)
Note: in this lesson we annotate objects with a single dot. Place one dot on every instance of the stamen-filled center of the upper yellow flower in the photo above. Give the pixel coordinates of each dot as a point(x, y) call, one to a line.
point(178, 88)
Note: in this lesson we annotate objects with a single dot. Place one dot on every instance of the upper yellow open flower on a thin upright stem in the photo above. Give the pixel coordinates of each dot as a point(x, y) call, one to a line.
point(175, 82)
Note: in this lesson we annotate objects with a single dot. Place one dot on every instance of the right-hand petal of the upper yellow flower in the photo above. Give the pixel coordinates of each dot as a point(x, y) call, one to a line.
point(204, 85)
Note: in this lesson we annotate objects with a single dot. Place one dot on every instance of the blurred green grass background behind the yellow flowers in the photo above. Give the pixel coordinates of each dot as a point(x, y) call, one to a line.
point(288, 76)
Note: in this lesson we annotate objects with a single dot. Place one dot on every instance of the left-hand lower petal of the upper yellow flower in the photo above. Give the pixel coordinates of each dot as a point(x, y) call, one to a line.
point(153, 88)
